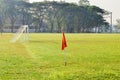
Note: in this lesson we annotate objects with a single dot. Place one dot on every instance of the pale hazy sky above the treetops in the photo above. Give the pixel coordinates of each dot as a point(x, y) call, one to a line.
point(109, 5)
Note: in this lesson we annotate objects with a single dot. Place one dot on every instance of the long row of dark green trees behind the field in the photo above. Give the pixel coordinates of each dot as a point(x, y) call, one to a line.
point(52, 16)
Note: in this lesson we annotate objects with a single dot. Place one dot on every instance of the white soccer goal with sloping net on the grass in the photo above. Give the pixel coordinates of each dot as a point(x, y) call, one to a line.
point(23, 30)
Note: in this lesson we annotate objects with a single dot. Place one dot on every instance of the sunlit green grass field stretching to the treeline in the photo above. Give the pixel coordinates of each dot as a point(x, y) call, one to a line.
point(89, 57)
